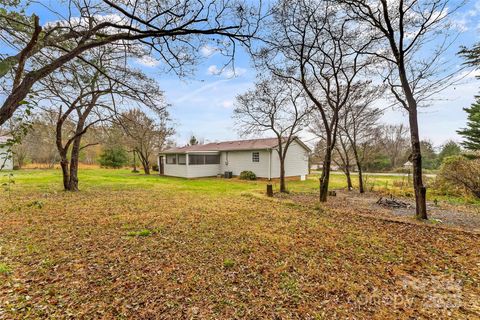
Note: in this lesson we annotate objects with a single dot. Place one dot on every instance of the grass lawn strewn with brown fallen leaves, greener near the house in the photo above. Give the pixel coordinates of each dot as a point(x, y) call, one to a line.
point(134, 246)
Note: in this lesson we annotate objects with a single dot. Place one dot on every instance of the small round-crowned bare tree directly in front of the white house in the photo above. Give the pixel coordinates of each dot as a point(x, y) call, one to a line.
point(277, 106)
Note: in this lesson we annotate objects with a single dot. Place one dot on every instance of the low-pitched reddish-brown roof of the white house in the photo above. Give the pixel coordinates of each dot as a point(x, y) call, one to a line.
point(252, 144)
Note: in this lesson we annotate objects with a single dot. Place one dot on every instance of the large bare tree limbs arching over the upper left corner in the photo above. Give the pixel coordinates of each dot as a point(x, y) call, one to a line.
point(171, 31)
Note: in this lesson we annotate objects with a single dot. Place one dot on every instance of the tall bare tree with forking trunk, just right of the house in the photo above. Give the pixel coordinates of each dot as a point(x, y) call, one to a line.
point(315, 44)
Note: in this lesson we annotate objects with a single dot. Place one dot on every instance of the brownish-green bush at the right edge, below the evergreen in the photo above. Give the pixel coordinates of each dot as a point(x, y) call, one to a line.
point(457, 173)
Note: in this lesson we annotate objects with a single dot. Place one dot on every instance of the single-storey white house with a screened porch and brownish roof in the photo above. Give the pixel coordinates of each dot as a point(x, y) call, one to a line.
point(256, 155)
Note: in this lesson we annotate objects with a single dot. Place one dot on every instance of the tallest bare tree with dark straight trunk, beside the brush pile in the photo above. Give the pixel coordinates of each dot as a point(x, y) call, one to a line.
point(403, 28)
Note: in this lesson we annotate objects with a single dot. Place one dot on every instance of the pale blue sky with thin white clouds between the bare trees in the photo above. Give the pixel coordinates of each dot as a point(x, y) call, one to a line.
point(202, 104)
